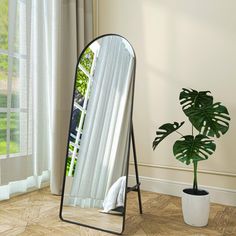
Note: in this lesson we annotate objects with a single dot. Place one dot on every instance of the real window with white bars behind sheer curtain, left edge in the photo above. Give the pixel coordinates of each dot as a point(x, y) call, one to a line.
point(14, 85)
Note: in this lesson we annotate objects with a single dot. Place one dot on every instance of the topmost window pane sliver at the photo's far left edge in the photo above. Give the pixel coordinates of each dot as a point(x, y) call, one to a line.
point(3, 24)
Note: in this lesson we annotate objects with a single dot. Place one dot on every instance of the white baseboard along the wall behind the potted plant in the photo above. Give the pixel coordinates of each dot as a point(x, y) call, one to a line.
point(217, 195)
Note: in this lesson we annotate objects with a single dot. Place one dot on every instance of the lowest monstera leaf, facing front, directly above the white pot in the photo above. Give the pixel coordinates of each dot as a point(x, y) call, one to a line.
point(190, 148)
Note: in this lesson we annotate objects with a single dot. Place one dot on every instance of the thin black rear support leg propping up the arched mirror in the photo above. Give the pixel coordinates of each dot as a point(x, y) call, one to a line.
point(136, 187)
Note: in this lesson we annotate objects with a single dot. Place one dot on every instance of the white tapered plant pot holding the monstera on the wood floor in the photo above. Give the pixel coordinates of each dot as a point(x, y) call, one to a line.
point(195, 209)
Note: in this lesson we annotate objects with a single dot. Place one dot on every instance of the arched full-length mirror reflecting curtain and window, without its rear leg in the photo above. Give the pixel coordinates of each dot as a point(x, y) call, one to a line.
point(95, 179)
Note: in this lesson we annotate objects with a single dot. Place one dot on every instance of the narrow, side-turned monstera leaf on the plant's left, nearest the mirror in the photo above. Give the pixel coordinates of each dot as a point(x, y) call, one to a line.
point(164, 130)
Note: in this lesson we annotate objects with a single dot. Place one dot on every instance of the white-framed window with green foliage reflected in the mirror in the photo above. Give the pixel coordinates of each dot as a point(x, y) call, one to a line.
point(83, 86)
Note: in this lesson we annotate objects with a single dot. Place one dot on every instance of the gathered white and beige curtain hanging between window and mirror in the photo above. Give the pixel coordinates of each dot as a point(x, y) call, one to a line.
point(54, 55)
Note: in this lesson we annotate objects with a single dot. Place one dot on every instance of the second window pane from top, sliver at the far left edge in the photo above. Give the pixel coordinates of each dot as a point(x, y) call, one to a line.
point(3, 80)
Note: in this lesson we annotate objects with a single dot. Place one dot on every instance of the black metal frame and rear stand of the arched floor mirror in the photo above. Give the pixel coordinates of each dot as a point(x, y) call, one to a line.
point(131, 139)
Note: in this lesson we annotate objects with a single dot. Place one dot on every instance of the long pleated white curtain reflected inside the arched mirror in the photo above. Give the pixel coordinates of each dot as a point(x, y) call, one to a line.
point(104, 143)
